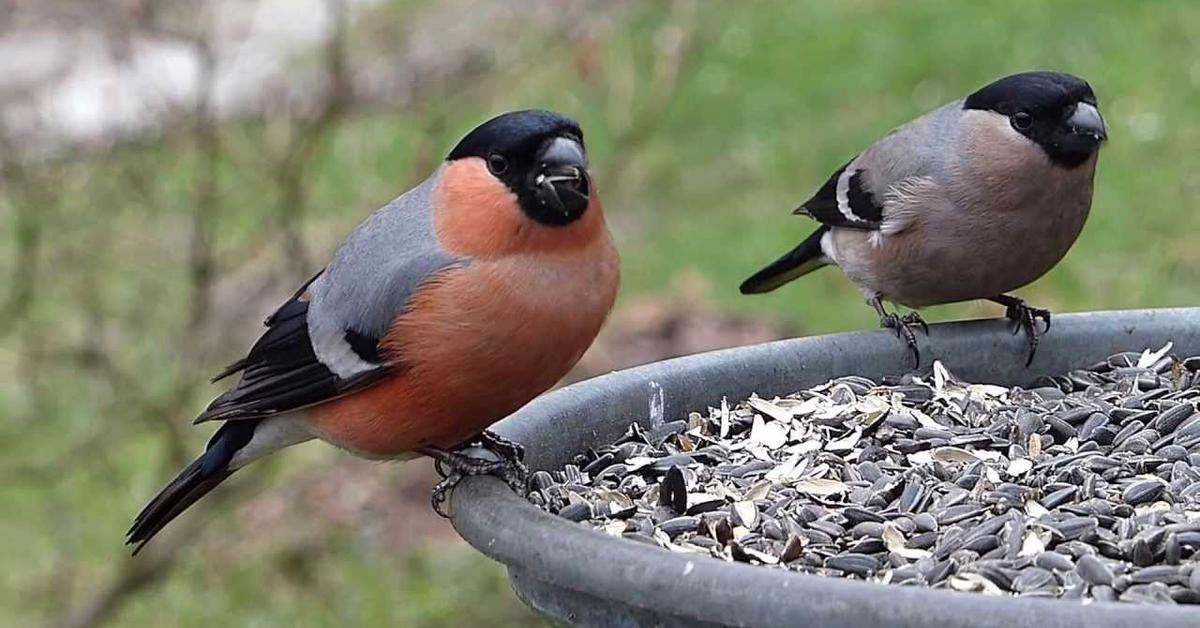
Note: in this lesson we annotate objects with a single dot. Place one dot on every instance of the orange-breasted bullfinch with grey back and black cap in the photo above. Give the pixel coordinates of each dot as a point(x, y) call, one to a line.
point(446, 310)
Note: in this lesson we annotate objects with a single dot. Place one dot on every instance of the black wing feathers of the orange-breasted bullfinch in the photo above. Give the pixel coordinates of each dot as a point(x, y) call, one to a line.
point(281, 373)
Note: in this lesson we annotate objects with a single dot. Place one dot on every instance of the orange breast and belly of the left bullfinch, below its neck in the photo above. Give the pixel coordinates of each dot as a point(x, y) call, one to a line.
point(477, 345)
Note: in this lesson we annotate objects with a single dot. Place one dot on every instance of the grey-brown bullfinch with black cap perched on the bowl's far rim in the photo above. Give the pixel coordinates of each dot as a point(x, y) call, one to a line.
point(970, 201)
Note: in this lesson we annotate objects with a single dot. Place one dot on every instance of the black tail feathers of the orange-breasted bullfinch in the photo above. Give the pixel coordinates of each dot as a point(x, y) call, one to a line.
point(195, 482)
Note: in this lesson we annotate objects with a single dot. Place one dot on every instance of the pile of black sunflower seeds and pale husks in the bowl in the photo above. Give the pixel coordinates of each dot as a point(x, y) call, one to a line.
point(1087, 487)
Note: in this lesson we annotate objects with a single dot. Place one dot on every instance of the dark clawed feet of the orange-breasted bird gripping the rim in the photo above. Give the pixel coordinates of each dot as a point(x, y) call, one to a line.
point(506, 463)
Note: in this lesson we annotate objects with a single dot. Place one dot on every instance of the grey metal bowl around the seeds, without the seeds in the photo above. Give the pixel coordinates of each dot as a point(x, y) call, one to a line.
point(584, 578)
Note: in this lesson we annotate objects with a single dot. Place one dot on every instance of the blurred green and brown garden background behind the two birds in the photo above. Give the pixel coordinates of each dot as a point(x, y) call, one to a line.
point(137, 262)
